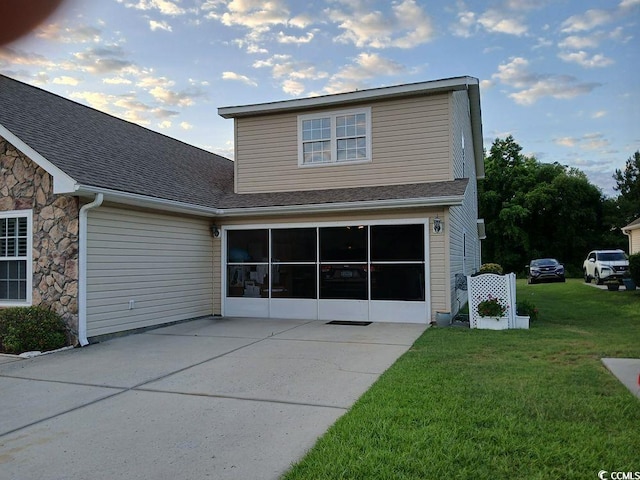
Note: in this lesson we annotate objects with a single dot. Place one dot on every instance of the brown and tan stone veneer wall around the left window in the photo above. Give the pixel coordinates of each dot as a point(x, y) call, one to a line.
point(23, 186)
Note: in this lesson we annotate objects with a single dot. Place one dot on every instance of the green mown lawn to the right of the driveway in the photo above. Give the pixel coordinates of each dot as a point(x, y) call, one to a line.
point(479, 404)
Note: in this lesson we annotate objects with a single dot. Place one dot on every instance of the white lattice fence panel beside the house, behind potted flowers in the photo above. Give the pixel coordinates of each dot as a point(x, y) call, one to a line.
point(502, 287)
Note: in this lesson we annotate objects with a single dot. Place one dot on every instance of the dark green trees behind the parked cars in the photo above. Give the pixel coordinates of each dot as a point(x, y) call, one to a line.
point(536, 210)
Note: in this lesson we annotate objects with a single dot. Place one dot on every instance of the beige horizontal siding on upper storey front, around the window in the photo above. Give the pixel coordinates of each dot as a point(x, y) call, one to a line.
point(410, 144)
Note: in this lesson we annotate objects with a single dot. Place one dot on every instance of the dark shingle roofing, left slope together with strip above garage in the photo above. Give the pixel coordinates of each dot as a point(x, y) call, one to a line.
point(99, 150)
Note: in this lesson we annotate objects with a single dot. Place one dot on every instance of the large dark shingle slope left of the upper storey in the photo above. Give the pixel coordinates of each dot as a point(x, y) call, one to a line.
point(98, 150)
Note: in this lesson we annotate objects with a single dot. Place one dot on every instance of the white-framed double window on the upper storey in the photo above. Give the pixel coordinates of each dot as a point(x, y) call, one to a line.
point(334, 137)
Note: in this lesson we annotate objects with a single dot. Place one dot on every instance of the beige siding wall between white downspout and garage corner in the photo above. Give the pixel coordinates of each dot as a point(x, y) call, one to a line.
point(162, 263)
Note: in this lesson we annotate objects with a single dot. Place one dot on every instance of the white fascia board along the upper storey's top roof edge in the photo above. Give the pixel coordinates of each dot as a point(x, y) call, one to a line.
point(435, 86)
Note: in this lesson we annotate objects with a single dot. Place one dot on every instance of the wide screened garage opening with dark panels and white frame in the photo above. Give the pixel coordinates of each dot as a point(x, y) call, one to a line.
point(326, 272)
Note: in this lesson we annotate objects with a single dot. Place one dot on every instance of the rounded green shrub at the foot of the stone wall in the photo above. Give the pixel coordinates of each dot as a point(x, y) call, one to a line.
point(24, 329)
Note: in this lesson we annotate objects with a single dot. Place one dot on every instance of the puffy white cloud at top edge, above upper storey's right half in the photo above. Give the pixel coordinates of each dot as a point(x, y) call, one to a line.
point(406, 26)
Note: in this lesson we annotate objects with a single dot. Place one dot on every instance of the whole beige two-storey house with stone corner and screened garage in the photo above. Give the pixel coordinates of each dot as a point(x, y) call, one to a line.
point(356, 206)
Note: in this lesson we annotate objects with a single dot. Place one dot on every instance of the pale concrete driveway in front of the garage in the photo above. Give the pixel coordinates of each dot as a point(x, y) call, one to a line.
point(211, 398)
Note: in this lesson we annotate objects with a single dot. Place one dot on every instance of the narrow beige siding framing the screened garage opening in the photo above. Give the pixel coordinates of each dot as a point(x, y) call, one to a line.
point(438, 257)
